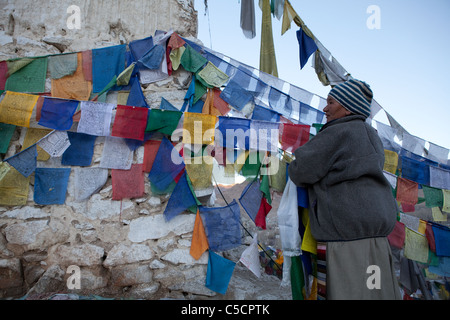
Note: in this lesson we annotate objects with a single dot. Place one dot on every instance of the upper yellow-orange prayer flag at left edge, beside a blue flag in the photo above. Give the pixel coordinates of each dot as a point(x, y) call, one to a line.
point(16, 108)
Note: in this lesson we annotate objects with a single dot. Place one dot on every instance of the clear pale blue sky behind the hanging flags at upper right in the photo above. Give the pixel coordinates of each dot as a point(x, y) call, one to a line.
point(404, 61)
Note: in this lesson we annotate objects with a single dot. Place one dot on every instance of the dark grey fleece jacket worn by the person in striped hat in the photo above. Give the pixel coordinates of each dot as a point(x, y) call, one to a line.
point(349, 197)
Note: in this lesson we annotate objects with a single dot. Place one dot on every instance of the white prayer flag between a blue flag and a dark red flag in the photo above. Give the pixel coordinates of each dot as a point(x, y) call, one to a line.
point(95, 118)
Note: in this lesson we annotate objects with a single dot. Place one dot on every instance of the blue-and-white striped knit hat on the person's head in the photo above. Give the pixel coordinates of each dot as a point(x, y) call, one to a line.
point(354, 95)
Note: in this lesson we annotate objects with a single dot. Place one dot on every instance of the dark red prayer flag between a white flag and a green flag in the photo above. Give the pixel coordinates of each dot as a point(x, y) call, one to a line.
point(130, 122)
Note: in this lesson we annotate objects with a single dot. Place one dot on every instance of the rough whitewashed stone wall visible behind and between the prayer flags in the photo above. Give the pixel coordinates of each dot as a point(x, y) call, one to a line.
point(122, 248)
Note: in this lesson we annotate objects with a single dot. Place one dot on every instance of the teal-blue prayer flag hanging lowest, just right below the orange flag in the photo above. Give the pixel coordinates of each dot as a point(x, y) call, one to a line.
point(218, 273)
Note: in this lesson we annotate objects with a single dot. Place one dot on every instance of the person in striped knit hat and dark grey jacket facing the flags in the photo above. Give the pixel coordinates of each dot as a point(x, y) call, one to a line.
point(351, 205)
